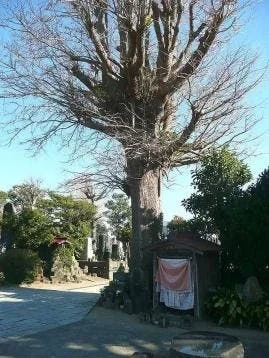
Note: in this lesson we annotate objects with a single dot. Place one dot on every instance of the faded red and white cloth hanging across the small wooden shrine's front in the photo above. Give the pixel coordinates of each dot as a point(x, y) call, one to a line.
point(174, 283)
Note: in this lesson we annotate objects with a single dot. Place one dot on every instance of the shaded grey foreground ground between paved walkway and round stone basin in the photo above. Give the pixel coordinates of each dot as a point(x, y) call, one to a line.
point(108, 333)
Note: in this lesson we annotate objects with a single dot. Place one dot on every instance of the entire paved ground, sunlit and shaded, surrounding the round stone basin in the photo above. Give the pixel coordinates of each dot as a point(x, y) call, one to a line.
point(53, 323)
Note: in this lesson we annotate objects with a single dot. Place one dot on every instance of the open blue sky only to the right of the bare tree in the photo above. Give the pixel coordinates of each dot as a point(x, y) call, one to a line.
point(254, 35)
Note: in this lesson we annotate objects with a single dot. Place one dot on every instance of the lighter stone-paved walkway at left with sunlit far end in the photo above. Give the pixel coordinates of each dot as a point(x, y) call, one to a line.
point(28, 310)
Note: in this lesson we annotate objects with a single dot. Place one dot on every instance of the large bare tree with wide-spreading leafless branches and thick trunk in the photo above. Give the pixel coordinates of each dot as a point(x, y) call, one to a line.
point(154, 78)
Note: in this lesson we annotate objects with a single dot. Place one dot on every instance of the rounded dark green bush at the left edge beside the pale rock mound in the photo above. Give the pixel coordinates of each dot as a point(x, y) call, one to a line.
point(20, 265)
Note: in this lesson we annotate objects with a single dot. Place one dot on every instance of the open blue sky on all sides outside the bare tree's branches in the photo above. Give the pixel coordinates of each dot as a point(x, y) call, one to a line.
point(17, 164)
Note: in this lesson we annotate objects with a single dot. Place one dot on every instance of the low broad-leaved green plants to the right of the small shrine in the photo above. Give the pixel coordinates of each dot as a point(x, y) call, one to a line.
point(226, 306)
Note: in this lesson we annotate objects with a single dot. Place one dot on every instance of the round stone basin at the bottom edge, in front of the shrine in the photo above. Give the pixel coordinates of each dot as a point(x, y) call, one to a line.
point(206, 344)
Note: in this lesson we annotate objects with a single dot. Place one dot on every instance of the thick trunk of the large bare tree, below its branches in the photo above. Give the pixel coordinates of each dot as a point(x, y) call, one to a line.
point(146, 218)
